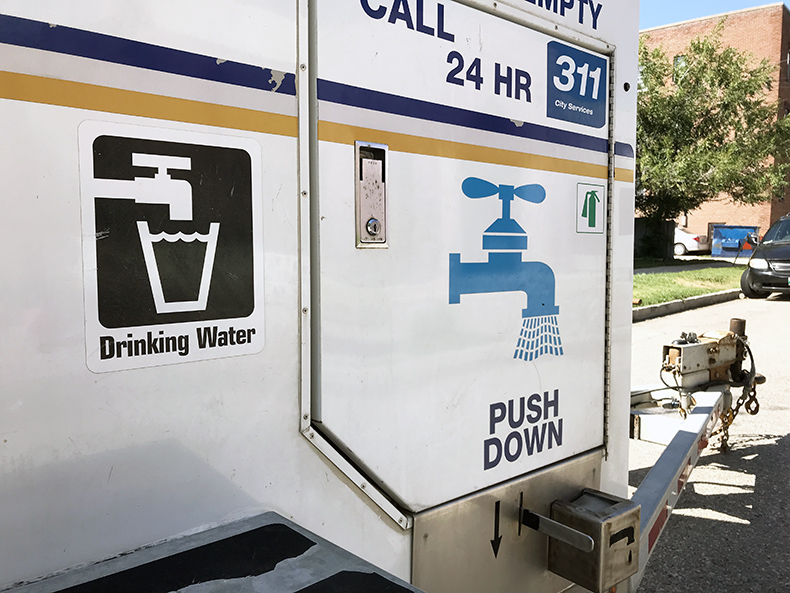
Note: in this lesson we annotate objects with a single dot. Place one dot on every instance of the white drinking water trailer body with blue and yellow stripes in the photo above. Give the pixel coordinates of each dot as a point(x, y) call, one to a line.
point(327, 295)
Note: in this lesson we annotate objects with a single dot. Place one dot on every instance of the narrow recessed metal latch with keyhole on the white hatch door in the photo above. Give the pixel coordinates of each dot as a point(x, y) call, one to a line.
point(371, 194)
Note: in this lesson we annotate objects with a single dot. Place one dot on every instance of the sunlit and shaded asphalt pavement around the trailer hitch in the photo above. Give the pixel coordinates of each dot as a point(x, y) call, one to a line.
point(731, 528)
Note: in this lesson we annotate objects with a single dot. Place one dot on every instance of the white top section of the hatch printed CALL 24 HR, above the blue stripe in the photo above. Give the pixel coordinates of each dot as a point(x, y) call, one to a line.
point(448, 53)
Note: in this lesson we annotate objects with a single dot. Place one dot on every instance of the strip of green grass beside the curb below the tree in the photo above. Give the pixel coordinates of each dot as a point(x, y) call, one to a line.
point(662, 288)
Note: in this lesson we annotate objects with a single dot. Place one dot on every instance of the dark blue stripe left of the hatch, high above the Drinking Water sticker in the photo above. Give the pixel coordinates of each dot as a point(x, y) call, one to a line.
point(86, 44)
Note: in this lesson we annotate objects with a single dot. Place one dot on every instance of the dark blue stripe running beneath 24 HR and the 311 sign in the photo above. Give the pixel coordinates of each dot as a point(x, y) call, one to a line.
point(352, 96)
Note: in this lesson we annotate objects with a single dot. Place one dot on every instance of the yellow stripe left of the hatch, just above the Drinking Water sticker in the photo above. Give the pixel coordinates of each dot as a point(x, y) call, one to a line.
point(65, 93)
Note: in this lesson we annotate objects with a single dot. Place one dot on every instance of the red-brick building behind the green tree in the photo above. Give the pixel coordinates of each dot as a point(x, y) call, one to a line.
point(765, 33)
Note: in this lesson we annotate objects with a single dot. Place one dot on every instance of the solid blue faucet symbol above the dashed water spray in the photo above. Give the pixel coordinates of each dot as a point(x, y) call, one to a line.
point(505, 271)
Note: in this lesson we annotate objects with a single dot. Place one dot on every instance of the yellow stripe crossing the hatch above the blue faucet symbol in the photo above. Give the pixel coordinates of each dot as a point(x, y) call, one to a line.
point(334, 132)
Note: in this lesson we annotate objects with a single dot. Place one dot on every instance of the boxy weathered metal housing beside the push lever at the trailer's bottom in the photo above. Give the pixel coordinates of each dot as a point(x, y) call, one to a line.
point(613, 525)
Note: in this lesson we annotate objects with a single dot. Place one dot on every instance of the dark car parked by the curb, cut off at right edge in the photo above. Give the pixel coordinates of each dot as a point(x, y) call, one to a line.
point(769, 267)
